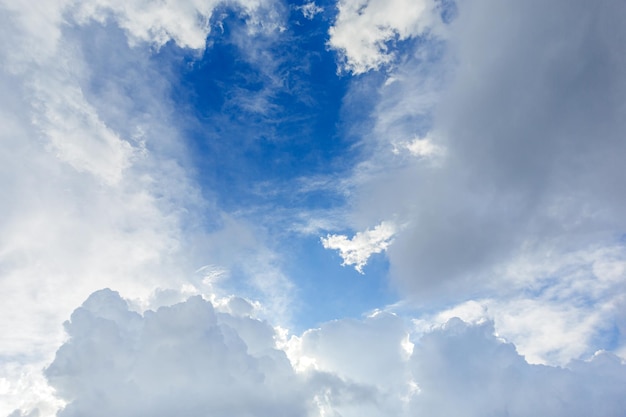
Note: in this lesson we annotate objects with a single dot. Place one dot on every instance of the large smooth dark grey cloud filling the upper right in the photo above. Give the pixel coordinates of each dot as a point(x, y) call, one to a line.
point(532, 120)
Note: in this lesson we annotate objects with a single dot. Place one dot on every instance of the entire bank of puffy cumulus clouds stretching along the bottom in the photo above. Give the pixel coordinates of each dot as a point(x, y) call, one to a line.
point(195, 358)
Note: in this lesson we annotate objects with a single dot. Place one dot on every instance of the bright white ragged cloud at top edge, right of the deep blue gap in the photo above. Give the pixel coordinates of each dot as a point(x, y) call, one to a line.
point(363, 30)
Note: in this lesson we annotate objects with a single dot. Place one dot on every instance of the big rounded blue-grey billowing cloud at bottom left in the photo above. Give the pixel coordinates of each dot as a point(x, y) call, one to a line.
point(186, 358)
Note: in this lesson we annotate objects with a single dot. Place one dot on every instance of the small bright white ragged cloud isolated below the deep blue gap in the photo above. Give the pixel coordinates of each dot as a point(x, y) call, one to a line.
point(356, 251)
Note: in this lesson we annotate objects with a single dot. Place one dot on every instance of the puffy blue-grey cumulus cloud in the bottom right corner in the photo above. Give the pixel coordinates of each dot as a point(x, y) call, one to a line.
point(502, 383)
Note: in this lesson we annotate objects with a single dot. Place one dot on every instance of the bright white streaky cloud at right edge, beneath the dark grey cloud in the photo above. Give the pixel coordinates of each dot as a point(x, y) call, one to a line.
point(552, 311)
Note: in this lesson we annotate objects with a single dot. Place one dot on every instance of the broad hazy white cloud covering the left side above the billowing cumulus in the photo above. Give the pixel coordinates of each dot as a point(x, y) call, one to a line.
point(93, 172)
